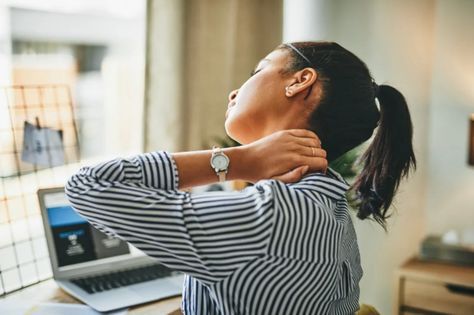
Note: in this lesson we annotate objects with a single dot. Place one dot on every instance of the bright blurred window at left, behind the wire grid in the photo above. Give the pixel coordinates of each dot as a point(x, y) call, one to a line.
point(88, 56)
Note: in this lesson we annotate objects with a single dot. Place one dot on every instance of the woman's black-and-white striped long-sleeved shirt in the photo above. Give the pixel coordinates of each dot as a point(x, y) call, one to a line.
point(271, 248)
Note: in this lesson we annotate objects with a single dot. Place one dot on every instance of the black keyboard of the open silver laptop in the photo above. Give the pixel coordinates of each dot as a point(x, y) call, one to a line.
point(122, 278)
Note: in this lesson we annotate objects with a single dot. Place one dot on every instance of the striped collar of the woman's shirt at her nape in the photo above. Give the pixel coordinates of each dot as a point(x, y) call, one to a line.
point(331, 184)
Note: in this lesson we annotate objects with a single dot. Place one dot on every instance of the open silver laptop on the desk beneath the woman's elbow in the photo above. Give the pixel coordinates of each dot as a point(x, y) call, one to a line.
point(102, 271)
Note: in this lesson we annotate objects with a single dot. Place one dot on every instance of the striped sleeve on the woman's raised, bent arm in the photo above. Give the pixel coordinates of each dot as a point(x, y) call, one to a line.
point(206, 235)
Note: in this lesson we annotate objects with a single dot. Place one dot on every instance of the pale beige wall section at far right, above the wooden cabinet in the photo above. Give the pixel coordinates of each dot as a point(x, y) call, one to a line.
point(450, 198)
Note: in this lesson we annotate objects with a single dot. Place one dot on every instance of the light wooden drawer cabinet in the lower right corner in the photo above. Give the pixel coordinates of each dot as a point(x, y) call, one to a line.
point(434, 288)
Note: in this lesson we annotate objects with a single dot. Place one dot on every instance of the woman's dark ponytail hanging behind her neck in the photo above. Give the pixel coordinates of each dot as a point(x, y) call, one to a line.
point(388, 159)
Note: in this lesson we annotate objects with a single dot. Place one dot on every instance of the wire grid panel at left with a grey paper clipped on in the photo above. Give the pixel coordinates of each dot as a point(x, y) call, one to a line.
point(24, 258)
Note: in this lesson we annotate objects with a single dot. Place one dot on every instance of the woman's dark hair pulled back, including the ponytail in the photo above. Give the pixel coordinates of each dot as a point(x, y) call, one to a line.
point(347, 116)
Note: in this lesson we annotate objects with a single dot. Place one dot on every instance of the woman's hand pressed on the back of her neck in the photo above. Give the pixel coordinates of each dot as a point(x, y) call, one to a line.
point(285, 155)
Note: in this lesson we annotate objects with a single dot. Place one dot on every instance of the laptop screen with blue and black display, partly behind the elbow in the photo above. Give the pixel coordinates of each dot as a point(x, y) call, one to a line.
point(75, 240)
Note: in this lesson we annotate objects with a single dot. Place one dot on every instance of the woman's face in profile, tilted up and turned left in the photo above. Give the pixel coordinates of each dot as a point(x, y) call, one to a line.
point(260, 107)
